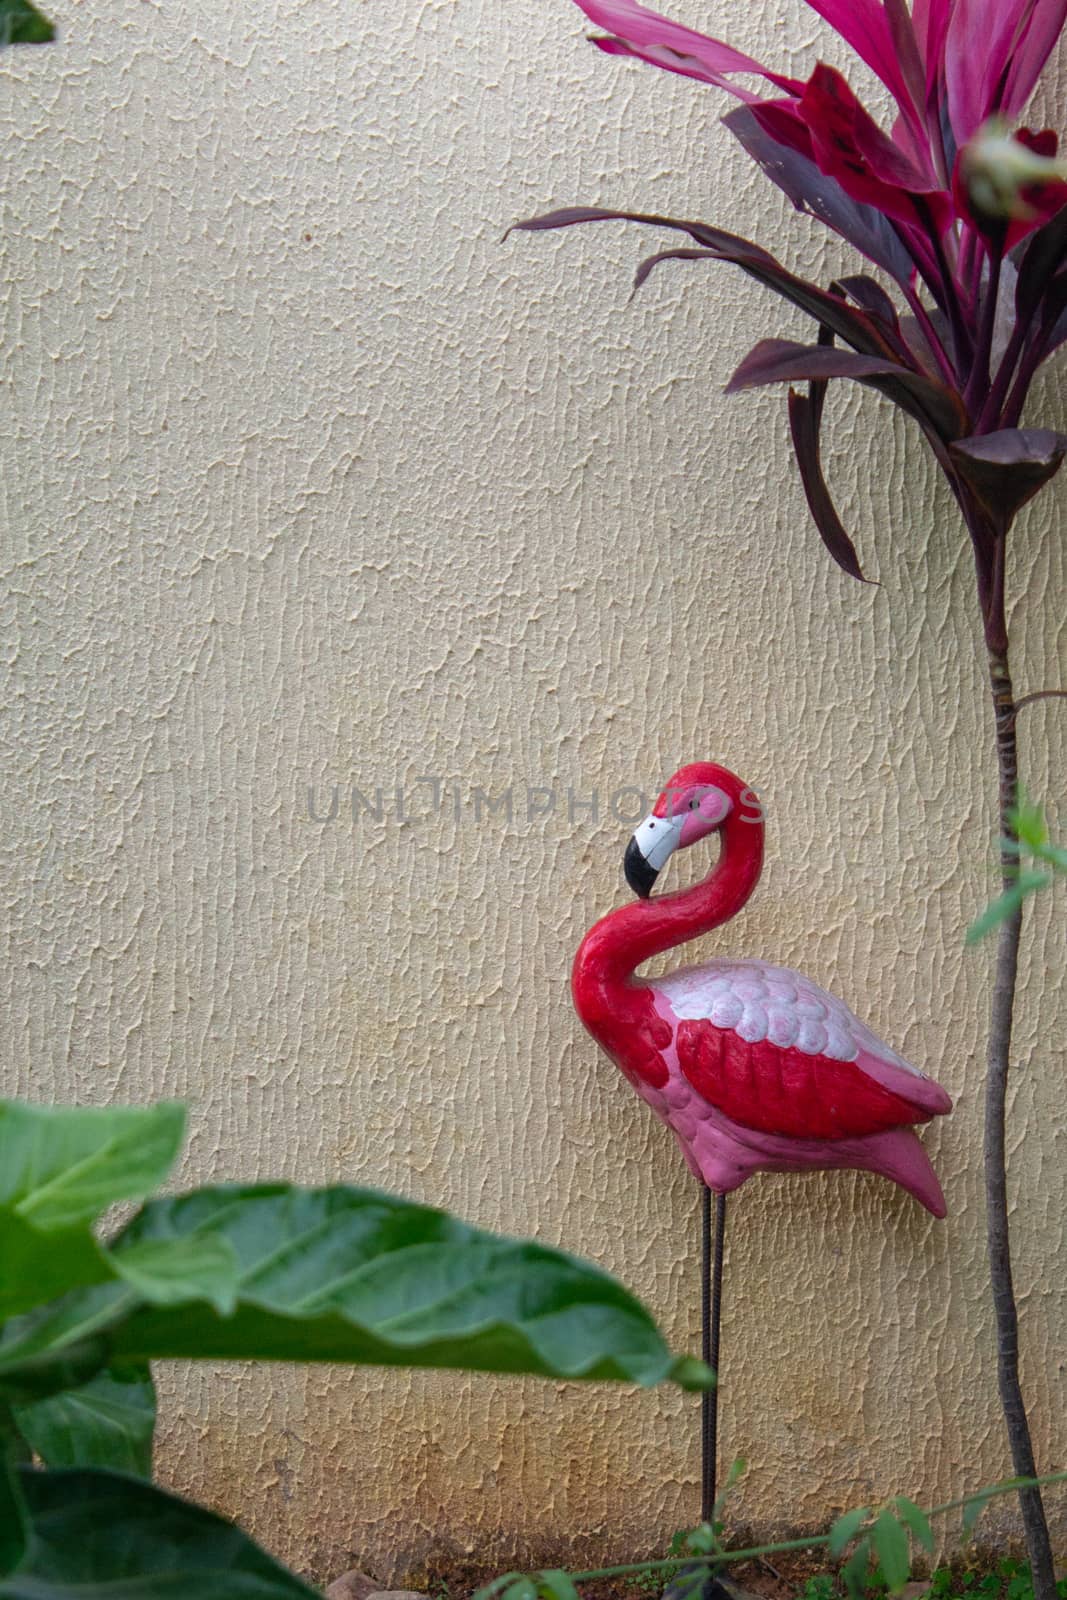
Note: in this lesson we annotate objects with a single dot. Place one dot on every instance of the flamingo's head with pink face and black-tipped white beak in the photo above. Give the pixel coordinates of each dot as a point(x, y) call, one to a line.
point(697, 802)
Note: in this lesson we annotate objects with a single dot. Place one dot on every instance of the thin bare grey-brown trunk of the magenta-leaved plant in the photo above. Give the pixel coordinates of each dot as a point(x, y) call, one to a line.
point(996, 1161)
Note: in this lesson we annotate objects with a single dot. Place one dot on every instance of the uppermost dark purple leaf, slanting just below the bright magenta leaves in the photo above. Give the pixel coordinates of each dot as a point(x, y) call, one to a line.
point(820, 196)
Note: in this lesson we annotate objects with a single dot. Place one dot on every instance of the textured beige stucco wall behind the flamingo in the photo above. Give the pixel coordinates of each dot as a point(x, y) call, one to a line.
point(308, 481)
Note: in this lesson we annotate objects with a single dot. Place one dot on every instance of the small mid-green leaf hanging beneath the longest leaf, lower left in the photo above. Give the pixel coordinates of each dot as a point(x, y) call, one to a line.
point(106, 1423)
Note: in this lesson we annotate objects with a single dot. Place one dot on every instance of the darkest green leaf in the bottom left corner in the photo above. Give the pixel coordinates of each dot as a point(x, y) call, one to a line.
point(114, 1538)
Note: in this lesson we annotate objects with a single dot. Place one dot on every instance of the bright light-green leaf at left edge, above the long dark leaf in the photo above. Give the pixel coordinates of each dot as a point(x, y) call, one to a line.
point(62, 1167)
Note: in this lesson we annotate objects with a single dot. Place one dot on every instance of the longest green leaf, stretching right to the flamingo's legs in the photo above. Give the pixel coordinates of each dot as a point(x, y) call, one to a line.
point(354, 1276)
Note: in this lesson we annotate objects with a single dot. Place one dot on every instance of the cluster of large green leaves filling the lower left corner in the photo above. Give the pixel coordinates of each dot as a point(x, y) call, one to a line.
point(242, 1273)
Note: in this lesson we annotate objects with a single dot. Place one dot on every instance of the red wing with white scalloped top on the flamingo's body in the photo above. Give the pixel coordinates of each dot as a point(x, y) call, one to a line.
point(777, 1054)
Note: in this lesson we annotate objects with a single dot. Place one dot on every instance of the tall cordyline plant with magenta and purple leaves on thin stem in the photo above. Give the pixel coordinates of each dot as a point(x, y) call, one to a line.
point(967, 222)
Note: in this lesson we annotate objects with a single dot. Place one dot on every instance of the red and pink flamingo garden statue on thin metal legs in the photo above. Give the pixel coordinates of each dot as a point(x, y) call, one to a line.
point(751, 1066)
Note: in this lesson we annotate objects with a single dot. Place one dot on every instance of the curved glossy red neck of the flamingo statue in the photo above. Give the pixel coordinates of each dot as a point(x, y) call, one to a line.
point(621, 942)
